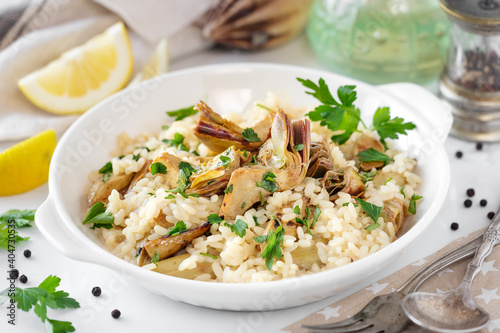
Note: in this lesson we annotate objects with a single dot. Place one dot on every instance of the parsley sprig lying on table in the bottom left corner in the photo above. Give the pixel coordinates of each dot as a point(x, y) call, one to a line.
point(43, 296)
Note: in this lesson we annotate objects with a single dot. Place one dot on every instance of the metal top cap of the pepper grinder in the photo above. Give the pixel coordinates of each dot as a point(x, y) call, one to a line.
point(476, 14)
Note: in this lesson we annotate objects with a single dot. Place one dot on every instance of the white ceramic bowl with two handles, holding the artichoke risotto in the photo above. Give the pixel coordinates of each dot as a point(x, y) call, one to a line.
point(87, 145)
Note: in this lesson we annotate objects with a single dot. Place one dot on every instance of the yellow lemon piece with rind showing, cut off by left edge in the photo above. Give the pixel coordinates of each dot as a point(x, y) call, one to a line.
point(25, 165)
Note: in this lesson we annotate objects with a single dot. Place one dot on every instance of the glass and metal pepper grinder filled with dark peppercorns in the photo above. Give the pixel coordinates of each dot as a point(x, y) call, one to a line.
point(470, 81)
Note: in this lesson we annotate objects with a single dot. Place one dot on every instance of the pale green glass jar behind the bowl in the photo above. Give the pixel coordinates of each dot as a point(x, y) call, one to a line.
point(380, 41)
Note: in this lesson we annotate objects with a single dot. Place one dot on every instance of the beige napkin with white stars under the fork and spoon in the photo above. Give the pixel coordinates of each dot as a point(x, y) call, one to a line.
point(485, 290)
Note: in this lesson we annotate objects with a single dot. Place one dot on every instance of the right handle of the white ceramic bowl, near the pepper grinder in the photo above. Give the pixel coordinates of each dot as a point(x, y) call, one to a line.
point(436, 112)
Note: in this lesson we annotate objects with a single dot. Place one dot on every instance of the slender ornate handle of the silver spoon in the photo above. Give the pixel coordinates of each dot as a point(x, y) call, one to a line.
point(490, 238)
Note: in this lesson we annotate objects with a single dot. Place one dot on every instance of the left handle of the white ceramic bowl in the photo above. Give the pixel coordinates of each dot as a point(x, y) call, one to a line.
point(48, 222)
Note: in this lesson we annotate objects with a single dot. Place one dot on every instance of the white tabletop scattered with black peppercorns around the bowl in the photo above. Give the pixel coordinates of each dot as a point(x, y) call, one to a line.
point(144, 311)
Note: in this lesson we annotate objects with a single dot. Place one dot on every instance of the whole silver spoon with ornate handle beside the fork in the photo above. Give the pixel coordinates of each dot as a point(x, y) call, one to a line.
point(454, 311)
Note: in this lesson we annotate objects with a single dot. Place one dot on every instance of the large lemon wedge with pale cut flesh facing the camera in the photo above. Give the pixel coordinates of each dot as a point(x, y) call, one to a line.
point(82, 76)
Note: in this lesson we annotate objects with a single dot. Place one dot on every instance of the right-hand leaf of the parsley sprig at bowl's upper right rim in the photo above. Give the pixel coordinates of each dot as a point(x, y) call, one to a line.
point(387, 127)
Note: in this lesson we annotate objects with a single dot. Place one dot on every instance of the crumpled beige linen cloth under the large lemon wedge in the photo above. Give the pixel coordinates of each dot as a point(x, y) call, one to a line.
point(35, 32)
